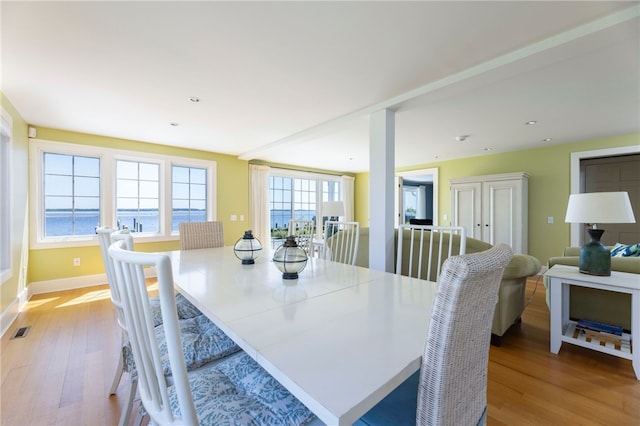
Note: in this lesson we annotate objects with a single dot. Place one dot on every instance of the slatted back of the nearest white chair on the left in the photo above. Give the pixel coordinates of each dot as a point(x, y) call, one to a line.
point(152, 385)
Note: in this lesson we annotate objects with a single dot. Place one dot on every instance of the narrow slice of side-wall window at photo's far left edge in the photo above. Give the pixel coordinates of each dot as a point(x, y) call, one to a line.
point(5, 196)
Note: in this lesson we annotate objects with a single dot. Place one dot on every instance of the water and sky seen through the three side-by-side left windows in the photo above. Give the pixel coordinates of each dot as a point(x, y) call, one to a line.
point(72, 195)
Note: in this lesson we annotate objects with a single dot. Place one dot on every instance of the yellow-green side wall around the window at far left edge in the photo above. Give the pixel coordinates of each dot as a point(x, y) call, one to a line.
point(15, 285)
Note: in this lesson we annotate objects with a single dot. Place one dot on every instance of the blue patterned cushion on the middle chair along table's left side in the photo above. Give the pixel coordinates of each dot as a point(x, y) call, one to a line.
point(202, 343)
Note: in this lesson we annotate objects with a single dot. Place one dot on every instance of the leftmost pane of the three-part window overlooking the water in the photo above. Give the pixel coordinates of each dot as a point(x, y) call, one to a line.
point(71, 194)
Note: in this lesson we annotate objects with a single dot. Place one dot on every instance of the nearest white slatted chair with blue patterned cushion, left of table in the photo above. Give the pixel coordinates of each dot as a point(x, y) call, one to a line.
point(235, 390)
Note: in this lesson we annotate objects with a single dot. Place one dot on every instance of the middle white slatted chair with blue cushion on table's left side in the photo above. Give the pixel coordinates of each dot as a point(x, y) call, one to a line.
point(203, 343)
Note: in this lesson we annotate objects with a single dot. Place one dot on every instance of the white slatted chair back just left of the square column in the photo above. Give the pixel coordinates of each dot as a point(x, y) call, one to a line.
point(341, 241)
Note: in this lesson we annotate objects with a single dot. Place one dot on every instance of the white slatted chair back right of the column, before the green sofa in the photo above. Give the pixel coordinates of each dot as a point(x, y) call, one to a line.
point(422, 249)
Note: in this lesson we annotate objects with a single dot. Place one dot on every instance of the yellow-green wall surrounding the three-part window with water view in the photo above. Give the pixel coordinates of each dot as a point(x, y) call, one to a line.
point(232, 199)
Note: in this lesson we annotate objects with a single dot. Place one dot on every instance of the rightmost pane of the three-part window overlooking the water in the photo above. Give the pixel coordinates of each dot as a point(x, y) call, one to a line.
point(189, 195)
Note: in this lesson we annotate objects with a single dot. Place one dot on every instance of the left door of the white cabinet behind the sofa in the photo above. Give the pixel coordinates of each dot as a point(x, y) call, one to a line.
point(466, 208)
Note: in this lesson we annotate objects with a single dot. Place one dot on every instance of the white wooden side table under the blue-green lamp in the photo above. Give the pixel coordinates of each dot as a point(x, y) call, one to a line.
point(563, 329)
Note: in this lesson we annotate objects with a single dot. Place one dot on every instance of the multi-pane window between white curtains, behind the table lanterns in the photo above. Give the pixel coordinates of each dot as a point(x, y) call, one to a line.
point(297, 195)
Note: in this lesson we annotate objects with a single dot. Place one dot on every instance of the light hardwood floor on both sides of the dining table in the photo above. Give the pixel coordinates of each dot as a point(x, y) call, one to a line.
point(61, 372)
